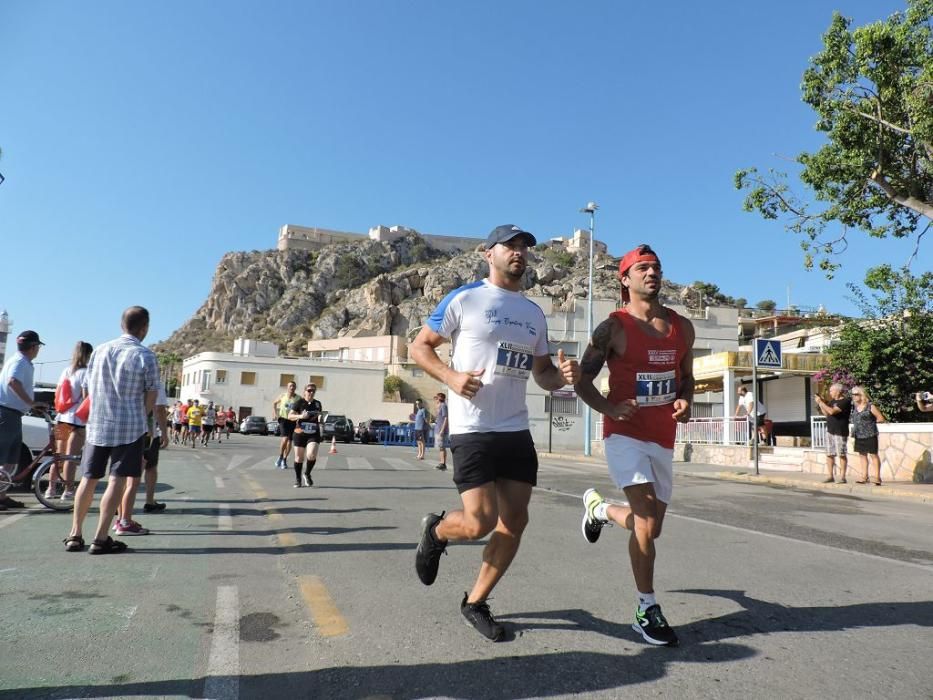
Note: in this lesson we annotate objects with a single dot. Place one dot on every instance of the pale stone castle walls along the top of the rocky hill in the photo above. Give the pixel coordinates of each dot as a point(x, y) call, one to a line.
point(292, 237)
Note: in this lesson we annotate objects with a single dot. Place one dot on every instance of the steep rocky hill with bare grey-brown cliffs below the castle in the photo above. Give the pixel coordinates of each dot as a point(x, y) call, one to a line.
point(290, 297)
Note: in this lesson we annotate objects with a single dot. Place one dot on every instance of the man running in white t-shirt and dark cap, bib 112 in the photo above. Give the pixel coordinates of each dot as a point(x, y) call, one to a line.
point(499, 340)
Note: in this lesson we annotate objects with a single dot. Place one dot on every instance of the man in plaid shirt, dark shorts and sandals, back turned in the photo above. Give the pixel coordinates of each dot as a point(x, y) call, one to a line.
point(122, 380)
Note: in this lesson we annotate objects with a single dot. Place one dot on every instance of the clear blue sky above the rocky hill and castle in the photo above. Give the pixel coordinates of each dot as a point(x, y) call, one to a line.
point(142, 141)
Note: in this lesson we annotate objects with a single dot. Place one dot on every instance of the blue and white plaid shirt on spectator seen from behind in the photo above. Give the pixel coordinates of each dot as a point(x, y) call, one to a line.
point(118, 376)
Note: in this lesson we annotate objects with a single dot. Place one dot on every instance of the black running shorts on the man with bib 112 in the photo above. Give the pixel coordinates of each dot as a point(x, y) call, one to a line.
point(483, 457)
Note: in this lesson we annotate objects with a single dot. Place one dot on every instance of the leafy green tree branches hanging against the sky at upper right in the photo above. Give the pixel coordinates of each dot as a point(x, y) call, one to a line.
point(871, 88)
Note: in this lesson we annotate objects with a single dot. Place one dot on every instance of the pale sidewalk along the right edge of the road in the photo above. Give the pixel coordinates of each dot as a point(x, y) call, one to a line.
point(901, 490)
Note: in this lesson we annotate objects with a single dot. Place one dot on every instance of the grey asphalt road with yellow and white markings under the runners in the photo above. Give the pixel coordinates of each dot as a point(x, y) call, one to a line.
point(250, 588)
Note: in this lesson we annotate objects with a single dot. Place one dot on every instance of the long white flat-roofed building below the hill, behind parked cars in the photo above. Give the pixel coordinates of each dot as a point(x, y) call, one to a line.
point(253, 376)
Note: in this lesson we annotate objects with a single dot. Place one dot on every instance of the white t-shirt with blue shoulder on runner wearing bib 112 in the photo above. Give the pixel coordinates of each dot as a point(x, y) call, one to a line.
point(498, 331)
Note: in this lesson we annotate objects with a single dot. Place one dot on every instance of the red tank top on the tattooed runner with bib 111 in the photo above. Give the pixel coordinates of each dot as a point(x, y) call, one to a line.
point(649, 372)
